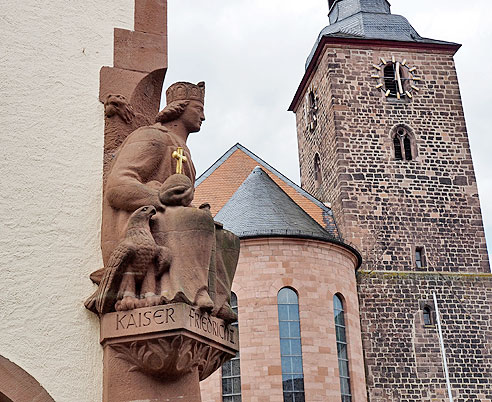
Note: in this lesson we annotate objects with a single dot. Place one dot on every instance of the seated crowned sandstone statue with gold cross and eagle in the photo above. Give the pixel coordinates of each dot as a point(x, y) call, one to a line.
point(194, 258)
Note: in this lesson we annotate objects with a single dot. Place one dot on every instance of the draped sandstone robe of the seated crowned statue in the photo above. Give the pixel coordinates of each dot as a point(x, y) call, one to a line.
point(204, 256)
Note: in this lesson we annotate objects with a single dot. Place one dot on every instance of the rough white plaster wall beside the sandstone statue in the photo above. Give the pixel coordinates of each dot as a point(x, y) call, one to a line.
point(51, 151)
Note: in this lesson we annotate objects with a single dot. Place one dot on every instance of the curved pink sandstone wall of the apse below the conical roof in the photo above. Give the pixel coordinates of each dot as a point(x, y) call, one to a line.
point(316, 271)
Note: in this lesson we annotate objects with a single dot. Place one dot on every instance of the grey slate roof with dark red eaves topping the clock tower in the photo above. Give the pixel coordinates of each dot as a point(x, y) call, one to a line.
point(369, 19)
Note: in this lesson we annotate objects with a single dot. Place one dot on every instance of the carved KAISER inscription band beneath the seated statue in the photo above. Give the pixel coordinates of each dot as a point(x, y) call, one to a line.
point(167, 318)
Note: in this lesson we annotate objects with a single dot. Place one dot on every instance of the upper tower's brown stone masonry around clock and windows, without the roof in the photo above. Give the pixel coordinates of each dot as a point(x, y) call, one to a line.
point(387, 207)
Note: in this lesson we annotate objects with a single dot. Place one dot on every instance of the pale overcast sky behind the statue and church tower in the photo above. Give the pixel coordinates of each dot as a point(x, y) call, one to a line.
point(251, 54)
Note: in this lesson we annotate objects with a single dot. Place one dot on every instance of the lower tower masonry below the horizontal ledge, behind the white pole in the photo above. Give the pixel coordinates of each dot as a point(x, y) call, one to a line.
point(402, 356)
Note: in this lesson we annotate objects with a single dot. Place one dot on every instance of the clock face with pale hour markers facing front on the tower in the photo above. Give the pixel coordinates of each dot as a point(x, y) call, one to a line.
point(397, 79)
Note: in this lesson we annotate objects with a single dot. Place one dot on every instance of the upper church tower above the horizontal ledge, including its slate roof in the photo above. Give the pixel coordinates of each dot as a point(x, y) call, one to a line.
point(382, 137)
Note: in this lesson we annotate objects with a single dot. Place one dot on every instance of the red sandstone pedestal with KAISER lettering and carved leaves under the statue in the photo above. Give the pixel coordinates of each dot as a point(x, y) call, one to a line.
point(161, 353)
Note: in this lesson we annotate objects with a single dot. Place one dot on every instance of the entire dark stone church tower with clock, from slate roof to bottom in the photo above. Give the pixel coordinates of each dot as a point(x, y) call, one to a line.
point(382, 138)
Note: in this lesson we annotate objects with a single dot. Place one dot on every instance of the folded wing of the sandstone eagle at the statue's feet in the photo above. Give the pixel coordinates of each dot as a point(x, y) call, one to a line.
point(104, 299)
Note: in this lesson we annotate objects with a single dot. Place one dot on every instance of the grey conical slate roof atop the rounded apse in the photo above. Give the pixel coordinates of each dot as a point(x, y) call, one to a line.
point(261, 208)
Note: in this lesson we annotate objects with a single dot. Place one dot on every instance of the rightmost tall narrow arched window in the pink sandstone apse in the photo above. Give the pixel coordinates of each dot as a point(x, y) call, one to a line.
point(343, 362)
